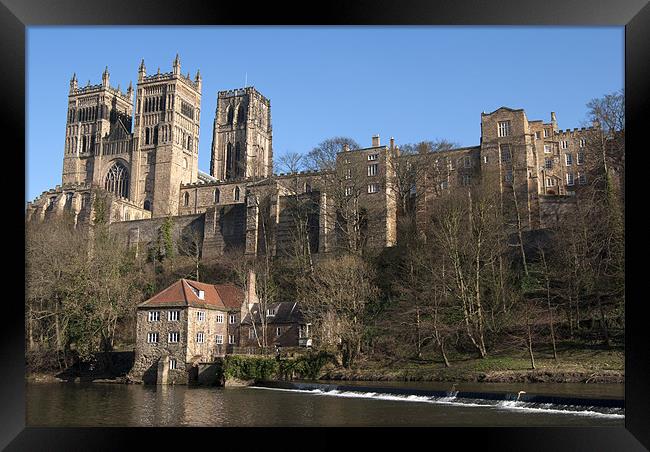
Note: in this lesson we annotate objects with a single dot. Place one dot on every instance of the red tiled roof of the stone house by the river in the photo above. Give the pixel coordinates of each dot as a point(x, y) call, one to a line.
point(181, 293)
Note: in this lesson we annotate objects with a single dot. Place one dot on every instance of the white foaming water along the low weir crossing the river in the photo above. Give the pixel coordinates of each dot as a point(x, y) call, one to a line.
point(452, 400)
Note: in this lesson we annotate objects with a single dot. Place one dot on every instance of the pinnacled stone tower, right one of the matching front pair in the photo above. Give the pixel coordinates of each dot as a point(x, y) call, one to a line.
point(166, 137)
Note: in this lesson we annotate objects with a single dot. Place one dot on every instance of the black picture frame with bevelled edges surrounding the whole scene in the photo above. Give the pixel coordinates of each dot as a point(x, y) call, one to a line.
point(18, 14)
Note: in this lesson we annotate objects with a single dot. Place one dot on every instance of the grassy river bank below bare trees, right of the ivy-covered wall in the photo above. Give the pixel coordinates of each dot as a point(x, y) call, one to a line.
point(582, 365)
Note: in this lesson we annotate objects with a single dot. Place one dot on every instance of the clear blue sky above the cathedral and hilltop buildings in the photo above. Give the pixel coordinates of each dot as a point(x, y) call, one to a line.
point(413, 83)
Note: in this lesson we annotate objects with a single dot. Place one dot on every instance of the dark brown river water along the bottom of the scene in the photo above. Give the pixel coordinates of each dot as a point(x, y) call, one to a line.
point(137, 405)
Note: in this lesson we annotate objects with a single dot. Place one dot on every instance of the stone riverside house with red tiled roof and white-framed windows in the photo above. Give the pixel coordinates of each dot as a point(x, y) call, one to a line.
point(184, 325)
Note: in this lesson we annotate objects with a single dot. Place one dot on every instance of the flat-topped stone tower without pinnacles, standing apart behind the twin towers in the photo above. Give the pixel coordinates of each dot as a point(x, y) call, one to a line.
point(242, 136)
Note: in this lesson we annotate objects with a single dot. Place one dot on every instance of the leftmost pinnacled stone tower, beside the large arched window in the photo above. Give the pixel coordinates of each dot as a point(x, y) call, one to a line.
point(94, 112)
